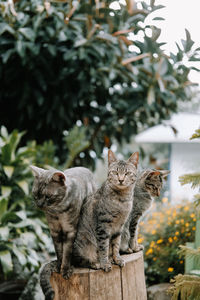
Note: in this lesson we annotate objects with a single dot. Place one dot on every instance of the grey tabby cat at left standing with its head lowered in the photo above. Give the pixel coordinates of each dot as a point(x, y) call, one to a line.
point(60, 195)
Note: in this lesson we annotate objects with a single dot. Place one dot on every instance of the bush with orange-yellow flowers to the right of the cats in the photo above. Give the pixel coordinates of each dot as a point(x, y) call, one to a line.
point(165, 228)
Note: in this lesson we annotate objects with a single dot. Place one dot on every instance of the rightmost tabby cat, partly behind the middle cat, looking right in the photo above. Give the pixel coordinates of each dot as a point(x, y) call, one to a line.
point(148, 185)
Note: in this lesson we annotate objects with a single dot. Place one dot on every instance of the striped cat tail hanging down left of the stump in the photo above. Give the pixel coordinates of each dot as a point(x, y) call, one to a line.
point(45, 275)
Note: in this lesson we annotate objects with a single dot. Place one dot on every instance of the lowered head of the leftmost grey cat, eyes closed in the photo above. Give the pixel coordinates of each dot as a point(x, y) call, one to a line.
point(49, 187)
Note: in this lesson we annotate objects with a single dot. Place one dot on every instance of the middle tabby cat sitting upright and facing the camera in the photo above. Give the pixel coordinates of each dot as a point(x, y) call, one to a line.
point(103, 216)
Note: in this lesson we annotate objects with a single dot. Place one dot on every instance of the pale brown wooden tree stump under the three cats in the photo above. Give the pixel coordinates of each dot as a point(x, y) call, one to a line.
point(127, 283)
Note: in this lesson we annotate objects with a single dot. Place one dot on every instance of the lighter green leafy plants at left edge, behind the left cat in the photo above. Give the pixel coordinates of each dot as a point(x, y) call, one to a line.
point(24, 235)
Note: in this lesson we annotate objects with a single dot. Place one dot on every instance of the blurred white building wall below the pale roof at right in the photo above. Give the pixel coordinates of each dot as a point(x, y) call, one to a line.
point(185, 158)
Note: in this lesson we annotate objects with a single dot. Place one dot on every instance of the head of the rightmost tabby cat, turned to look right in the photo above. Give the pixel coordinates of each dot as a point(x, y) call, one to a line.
point(154, 181)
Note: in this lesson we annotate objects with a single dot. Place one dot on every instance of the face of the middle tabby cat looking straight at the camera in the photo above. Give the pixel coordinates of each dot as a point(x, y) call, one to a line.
point(122, 174)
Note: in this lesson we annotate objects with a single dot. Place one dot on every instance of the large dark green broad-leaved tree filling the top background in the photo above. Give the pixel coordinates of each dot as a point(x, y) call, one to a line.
point(84, 61)
